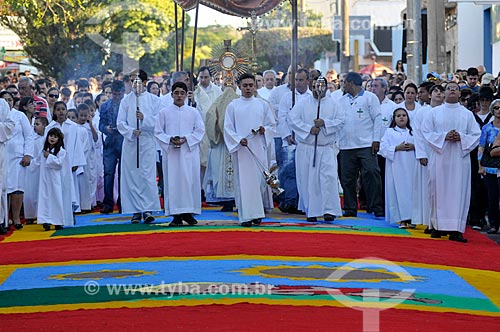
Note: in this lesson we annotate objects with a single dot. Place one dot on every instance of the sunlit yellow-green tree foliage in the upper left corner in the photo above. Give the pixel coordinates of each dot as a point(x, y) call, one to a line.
point(55, 33)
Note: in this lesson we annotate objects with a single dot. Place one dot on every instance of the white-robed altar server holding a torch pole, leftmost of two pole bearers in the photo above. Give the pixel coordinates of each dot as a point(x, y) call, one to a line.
point(138, 190)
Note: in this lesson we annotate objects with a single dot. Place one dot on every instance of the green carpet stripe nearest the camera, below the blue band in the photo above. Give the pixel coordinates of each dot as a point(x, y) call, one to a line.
point(75, 295)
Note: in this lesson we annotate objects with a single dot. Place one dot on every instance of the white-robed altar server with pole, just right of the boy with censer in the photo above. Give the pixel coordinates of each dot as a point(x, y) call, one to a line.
point(318, 184)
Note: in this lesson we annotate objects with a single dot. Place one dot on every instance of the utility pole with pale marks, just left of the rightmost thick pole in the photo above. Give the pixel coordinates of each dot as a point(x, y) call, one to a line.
point(414, 39)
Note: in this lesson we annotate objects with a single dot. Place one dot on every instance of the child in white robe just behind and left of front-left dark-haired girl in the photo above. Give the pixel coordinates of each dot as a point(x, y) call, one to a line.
point(30, 199)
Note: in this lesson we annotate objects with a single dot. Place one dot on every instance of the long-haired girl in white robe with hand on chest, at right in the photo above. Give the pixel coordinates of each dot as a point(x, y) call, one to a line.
point(398, 148)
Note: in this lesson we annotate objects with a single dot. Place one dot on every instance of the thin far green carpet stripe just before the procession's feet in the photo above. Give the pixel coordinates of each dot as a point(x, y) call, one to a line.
point(132, 228)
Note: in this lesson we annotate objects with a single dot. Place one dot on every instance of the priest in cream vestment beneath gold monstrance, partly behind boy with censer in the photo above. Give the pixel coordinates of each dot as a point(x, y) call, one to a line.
point(218, 182)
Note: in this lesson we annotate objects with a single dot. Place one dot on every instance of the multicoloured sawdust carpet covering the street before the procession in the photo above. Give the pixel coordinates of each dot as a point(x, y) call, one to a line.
point(355, 274)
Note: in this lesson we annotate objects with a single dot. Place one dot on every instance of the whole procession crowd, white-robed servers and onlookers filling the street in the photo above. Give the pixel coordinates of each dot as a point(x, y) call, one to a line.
point(405, 151)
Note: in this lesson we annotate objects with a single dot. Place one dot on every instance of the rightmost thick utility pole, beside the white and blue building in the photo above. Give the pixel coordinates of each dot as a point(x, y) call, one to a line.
point(436, 37)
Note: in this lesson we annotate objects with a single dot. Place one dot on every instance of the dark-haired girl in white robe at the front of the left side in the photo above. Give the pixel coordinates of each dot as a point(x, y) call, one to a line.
point(55, 206)
